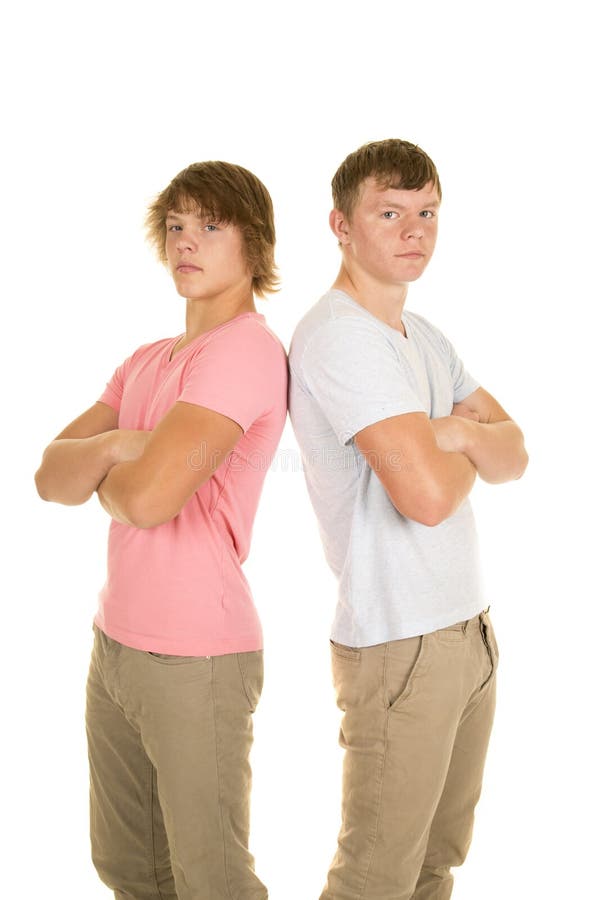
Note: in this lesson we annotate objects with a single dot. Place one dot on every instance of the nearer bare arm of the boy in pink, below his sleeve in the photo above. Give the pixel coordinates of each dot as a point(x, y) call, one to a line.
point(182, 452)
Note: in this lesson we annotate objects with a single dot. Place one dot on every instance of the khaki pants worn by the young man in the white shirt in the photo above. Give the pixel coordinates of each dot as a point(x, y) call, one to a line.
point(417, 719)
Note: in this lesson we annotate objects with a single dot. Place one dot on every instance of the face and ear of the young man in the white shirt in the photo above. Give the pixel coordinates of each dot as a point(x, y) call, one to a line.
point(392, 233)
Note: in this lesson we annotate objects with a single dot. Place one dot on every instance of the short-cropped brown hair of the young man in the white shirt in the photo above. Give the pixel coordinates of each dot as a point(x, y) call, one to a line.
point(392, 163)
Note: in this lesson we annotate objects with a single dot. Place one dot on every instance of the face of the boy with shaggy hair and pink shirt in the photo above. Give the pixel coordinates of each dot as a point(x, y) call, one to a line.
point(205, 257)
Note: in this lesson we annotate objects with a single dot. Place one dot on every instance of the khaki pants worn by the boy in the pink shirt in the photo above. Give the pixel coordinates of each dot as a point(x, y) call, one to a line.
point(169, 739)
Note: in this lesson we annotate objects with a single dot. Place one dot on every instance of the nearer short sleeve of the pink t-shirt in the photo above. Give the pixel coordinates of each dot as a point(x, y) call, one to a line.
point(241, 373)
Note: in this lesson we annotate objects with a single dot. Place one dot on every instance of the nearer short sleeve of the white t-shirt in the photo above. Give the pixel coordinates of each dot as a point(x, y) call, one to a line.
point(356, 375)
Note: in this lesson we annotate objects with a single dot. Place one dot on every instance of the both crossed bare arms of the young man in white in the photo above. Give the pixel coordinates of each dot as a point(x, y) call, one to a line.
point(429, 466)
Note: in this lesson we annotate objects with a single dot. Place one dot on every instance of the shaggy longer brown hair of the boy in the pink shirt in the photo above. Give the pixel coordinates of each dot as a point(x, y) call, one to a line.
point(230, 194)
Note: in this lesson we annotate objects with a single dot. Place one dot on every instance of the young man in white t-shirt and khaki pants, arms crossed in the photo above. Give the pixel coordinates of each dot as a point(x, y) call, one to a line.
point(393, 432)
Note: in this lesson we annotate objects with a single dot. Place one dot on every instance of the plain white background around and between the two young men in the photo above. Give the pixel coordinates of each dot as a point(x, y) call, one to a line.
point(104, 104)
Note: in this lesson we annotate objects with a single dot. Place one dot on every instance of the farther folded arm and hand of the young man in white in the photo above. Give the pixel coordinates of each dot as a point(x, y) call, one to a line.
point(480, 428)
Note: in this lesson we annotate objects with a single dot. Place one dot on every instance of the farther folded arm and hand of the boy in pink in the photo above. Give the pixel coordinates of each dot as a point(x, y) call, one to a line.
point(77, 460)
